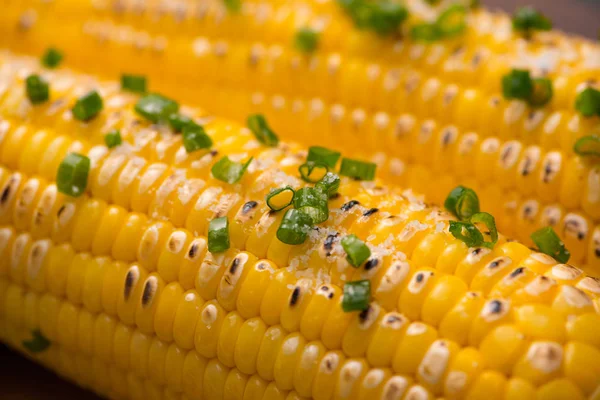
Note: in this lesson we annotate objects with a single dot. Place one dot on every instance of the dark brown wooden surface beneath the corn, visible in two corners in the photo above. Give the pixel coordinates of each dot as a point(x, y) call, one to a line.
point(21, 379)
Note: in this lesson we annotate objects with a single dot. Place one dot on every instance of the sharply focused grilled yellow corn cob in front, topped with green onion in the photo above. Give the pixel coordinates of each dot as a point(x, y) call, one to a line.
point(121, 284)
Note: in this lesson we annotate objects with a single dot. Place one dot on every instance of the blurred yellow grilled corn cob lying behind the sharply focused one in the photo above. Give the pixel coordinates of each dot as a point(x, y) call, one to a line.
point(431, 114)
